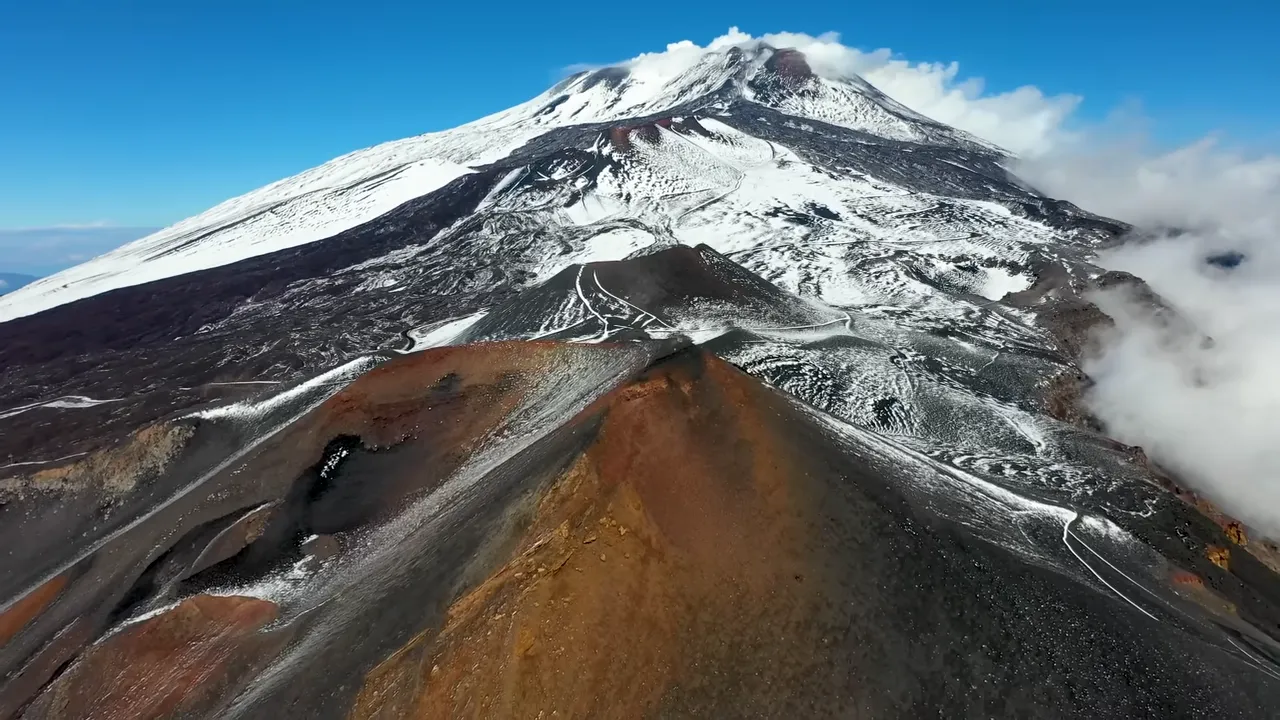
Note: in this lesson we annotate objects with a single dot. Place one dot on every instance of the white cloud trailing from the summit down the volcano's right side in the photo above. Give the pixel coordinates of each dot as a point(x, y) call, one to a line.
point(1209, 412)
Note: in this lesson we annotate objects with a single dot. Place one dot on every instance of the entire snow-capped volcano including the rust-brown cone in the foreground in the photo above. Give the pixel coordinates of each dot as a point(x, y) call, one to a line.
point(708, 385)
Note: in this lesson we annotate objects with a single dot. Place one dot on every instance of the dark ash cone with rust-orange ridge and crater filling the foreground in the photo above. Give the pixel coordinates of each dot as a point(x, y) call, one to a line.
point(611, 530)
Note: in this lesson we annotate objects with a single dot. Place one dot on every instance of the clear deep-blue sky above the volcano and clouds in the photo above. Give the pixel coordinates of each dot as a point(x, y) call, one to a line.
point(145, 112)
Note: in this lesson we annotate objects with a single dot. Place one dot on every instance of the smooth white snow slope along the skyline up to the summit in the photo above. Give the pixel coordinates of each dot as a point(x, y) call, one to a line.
point(364, 185)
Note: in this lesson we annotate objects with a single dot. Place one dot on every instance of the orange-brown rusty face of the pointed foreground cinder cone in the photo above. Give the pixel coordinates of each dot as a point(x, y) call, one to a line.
point(670, 569)
